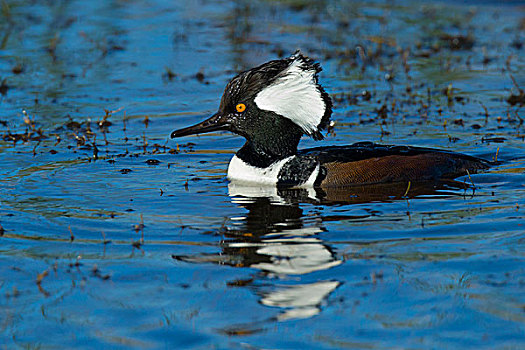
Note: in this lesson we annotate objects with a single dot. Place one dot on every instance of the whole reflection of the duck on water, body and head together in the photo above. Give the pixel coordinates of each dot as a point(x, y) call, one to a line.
point(276, 238)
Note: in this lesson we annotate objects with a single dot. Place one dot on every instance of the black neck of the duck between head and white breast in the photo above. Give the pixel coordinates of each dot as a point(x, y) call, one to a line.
point(263, 152)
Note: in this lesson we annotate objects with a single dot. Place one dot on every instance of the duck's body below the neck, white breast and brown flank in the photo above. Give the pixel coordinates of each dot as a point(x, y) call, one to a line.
point(360, 163)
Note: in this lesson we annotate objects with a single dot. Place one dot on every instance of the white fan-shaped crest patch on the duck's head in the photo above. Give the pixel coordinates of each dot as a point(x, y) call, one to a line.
point(295, 95)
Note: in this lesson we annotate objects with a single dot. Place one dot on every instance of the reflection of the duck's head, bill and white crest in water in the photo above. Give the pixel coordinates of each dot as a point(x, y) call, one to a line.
point(275, 238)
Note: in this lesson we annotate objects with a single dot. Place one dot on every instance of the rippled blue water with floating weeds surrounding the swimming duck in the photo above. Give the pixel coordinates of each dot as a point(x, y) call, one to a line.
point(113, 236)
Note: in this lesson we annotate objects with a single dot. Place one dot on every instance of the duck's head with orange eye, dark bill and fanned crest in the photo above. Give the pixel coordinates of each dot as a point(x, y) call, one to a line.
point(280, 99)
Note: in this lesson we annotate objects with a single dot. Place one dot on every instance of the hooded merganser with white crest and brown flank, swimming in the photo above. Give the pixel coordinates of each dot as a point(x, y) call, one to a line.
point(274, 104)
